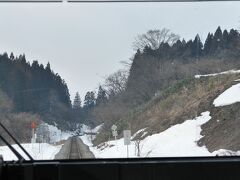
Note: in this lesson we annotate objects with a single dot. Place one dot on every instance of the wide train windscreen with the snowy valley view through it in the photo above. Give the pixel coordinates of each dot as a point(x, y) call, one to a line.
point(119, 79)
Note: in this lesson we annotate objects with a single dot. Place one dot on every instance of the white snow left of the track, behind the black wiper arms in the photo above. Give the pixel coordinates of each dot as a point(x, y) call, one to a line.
point(36, 150)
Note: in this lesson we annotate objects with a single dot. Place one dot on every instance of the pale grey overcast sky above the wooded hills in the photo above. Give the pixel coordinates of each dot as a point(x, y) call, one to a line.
point(86, 42)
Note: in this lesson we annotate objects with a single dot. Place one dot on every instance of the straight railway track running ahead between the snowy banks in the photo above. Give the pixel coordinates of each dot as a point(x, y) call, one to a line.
point(74, 152)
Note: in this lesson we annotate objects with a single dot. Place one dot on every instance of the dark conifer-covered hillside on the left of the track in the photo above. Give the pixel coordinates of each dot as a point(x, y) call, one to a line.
point(35, 89)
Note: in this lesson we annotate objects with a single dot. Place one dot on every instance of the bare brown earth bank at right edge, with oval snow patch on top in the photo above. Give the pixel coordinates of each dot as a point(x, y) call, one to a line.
point(223, 130)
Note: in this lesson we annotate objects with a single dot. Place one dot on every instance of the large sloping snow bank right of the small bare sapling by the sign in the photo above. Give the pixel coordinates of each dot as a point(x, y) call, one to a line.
point(179, 140)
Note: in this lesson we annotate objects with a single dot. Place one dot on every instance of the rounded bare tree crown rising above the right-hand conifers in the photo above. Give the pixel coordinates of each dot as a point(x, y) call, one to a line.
point(153, 39)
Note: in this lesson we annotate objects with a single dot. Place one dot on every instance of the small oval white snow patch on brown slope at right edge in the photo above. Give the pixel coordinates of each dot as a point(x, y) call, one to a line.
point(230, 96)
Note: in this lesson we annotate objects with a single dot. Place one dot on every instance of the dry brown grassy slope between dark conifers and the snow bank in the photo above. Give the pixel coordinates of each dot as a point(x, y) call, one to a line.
point(188, 101)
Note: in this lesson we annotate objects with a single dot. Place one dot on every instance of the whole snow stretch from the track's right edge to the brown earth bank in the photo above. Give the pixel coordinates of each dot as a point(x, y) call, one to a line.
point(178, 140)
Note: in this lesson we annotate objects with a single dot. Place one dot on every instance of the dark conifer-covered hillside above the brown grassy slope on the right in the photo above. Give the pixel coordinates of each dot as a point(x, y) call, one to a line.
point(155, 69)
